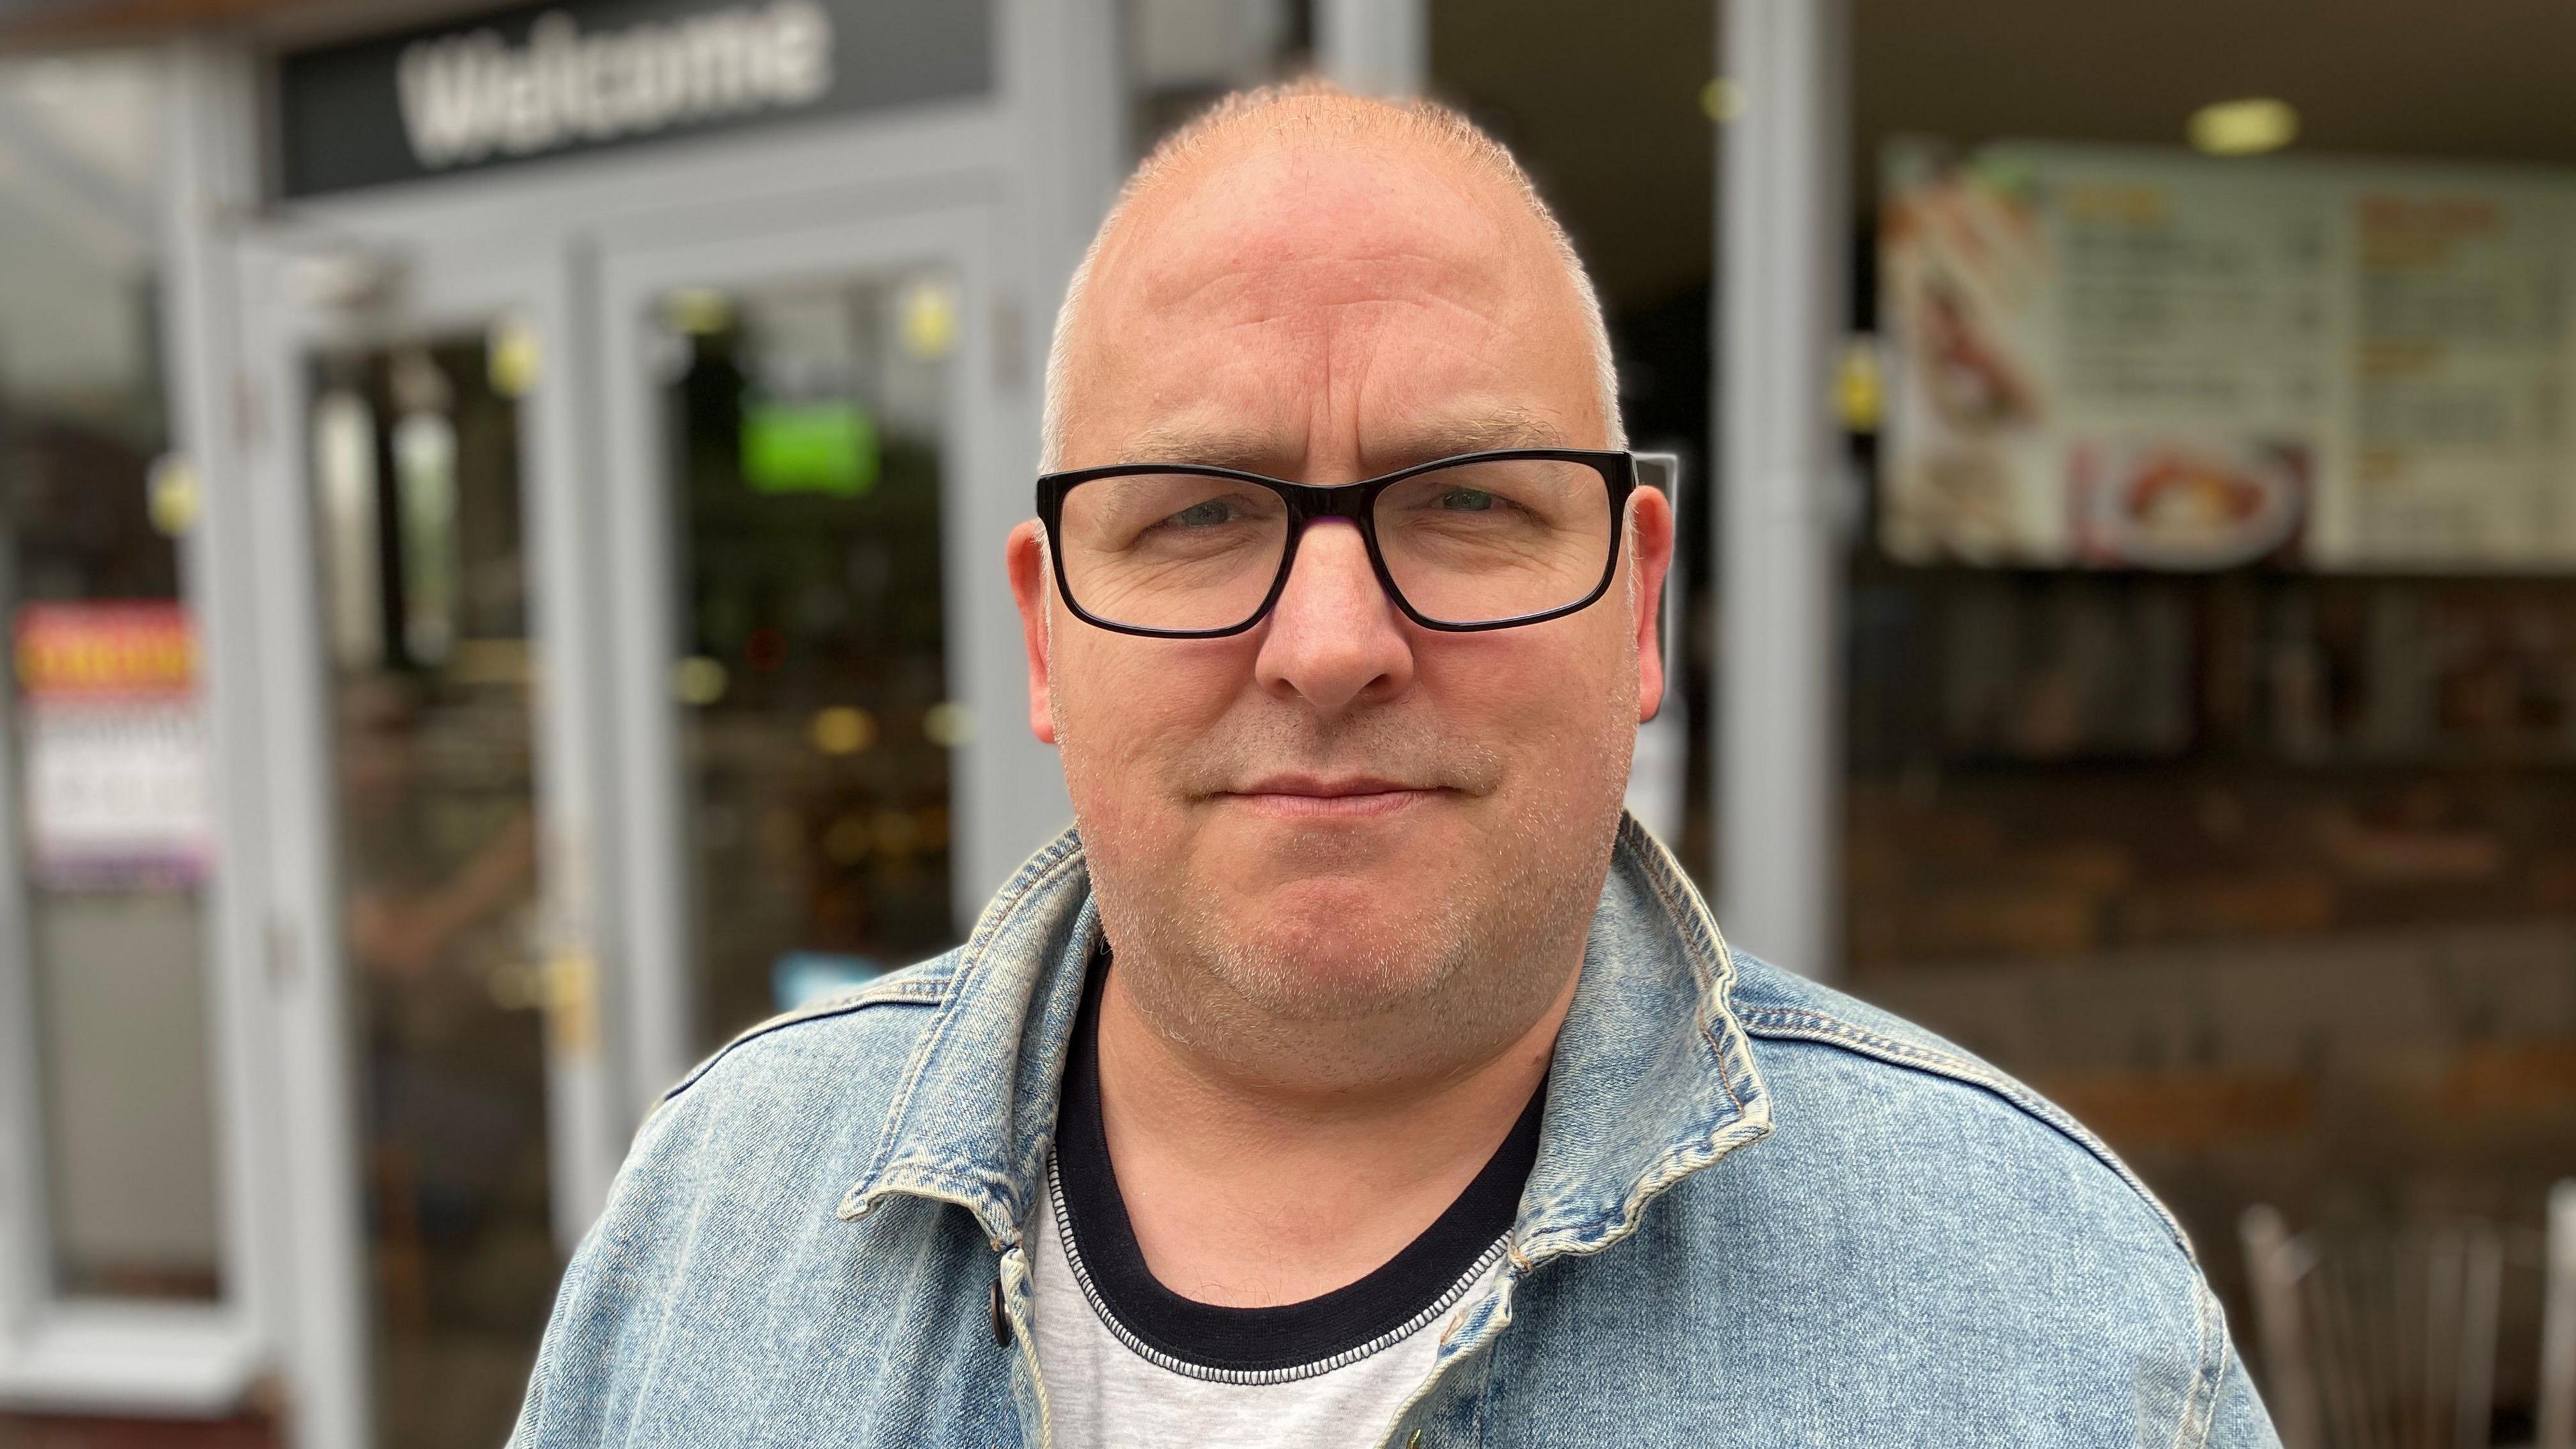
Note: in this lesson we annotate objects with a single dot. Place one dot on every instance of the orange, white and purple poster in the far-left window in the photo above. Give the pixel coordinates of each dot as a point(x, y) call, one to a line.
point(115, 746)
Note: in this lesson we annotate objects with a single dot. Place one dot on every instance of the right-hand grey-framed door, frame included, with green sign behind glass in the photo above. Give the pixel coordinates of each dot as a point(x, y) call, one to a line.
point(826, 739)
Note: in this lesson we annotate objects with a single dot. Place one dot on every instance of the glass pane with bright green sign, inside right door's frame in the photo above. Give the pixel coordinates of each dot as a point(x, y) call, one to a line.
point(808, 471)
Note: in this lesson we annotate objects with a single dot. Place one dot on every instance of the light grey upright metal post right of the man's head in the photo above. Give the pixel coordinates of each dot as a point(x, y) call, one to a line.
point(1784, 308)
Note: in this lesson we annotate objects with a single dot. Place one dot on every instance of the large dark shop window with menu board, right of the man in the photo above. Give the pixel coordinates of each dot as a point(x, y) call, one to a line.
point(2214, 630)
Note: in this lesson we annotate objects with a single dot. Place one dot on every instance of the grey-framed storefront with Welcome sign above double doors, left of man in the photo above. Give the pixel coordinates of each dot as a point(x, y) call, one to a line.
point(576, 527)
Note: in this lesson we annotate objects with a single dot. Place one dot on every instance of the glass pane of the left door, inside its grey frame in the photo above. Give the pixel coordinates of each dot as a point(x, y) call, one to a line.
point(419, 499)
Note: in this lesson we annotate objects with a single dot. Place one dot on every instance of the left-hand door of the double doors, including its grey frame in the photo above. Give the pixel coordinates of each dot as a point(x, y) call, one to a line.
point(442, 870)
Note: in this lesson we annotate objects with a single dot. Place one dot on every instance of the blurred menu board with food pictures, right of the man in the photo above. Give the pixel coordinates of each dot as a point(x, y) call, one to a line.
point(2152, 360)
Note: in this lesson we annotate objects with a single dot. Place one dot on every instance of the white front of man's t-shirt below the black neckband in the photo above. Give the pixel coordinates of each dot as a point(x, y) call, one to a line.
point(1109, 1391)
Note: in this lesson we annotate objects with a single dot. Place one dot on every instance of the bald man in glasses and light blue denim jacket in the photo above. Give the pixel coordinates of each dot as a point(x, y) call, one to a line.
point(1359, 1074)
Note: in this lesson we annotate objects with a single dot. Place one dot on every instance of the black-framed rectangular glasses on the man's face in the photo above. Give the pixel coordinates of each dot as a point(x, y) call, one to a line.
point(1470, 543)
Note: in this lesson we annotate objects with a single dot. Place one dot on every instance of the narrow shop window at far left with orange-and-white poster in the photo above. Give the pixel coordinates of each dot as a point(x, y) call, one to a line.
point(107, 739)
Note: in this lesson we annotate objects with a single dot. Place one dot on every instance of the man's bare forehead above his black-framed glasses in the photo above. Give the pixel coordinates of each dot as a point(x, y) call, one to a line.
point(1245, 300)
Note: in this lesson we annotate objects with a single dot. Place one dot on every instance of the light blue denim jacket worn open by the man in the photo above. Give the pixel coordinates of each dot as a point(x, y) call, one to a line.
point(1763, 1216)
